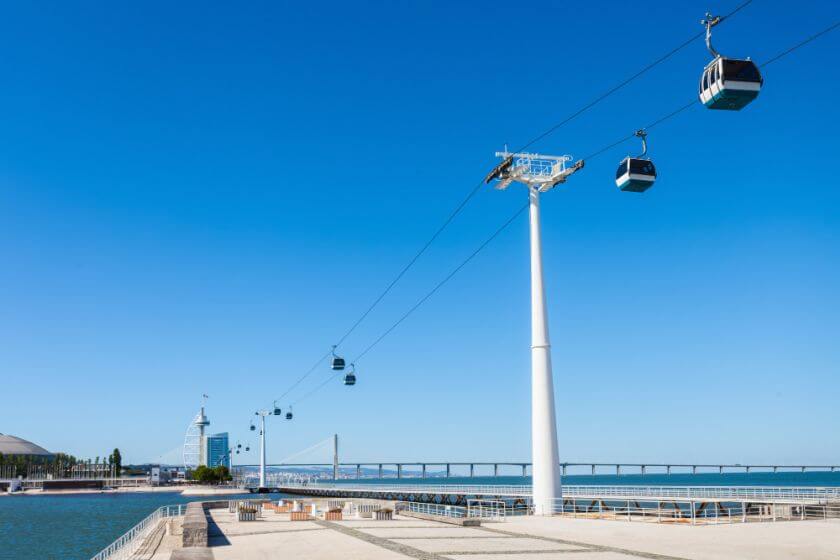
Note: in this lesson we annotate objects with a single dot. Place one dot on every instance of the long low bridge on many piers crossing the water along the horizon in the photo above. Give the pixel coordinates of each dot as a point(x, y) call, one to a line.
point(492, 468)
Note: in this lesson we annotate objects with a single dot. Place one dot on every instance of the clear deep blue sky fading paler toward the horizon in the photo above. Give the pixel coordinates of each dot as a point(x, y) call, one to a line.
point(202, 197)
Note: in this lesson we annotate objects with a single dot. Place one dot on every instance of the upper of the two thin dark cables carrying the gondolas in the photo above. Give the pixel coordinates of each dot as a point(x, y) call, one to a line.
point(478, 186)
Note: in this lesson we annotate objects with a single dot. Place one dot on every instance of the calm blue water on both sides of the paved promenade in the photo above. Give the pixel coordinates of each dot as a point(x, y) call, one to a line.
point(77, 527)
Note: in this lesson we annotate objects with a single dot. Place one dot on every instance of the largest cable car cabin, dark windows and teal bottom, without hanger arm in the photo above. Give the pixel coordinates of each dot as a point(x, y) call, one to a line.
point(730, 84)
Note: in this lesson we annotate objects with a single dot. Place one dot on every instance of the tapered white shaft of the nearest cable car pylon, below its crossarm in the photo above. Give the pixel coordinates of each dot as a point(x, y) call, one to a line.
point(545, 456)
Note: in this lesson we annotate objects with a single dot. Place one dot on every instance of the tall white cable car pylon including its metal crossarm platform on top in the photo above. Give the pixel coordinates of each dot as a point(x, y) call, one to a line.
point(539, 173)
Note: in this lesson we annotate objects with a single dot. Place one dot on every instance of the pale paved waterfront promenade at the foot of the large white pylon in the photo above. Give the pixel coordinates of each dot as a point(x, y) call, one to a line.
point(517, 538)
